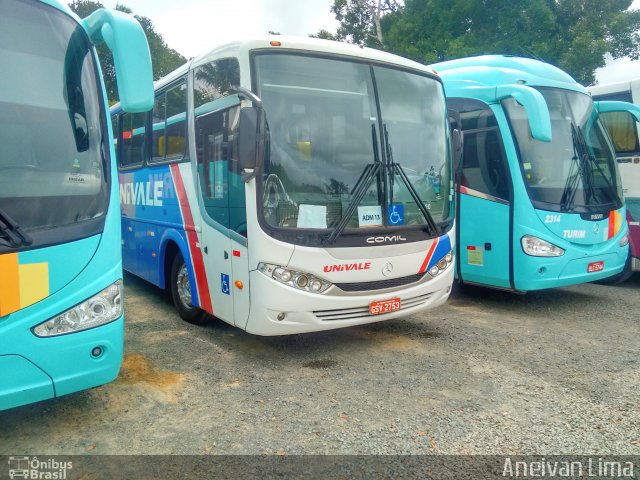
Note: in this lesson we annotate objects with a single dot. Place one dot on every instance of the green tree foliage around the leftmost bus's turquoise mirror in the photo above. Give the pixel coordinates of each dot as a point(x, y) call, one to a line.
point(164, 59)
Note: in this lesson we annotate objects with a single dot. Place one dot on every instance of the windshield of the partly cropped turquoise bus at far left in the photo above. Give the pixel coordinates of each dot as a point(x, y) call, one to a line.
point(51, 143)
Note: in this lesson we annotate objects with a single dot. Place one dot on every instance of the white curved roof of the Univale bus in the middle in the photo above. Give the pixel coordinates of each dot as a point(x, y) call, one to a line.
point(288, 43)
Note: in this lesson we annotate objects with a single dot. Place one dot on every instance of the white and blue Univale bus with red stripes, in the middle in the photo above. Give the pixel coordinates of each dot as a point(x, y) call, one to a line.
point(291, 185)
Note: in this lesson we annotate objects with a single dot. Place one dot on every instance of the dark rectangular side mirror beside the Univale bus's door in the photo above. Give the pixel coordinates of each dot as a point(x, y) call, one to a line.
point(250, 138)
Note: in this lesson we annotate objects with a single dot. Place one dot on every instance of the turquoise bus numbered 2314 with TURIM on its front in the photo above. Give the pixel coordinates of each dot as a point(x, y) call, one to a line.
point(539, 198)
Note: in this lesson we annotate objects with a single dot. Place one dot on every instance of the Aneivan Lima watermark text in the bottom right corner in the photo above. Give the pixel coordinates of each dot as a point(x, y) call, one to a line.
point(598, 468)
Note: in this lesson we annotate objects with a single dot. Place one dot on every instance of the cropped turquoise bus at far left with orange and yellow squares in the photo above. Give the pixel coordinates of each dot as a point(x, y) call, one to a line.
point(61, 312)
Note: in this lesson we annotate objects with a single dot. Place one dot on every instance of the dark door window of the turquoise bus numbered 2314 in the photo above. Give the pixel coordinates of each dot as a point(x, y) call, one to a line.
point(484, 164)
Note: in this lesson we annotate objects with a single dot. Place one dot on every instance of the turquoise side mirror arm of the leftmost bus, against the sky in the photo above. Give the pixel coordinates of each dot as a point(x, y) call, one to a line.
point(125, 38)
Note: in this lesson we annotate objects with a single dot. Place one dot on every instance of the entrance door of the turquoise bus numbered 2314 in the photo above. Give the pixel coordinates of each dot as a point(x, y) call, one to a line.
point(484, 200)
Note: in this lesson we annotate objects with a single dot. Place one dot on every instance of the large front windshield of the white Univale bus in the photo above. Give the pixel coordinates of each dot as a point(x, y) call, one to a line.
point(351, 144)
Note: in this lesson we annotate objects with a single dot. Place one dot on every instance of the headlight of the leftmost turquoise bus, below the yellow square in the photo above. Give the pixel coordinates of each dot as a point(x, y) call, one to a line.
point(102, 308)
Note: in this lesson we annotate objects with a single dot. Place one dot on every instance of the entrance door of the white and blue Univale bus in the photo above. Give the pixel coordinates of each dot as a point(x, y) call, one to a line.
point(223, 220)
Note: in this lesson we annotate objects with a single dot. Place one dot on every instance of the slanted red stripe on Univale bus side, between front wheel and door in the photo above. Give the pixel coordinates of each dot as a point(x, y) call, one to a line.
point(194, 249)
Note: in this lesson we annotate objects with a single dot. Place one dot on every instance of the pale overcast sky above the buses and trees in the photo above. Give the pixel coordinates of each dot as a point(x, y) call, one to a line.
point(194, 26)
